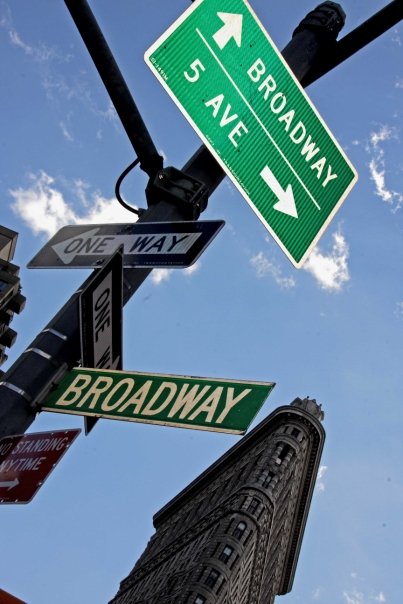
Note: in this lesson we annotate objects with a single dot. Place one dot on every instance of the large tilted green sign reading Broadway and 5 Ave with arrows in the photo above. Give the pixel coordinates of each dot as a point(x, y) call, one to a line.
point(222, 69)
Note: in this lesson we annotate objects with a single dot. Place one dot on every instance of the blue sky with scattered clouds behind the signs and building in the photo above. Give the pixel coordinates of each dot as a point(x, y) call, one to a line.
point(332, 330)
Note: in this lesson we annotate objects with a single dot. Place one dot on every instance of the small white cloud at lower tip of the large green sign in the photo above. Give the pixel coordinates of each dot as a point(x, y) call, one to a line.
point(330, 271)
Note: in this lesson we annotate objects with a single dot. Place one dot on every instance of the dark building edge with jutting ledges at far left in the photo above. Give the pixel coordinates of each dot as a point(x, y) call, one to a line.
point(11, 299)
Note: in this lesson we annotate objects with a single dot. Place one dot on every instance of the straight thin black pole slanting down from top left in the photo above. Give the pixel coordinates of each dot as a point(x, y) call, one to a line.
point(150, 160)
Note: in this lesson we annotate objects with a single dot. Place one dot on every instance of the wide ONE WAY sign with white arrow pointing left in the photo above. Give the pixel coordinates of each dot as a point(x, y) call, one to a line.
point(147, 244)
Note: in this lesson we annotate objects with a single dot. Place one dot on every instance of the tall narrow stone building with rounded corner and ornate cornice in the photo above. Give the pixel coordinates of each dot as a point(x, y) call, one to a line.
point(233, 535)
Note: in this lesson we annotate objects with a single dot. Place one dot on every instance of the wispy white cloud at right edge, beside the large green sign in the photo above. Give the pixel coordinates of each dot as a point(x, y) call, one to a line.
point(377, 165)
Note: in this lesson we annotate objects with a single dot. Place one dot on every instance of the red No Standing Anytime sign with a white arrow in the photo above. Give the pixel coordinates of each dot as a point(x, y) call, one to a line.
point(26, 460)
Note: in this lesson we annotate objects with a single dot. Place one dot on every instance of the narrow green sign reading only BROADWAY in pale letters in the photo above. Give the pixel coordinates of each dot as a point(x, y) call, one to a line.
point(169, 400)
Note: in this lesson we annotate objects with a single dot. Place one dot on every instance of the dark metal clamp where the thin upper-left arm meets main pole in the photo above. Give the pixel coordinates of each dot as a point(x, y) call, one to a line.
point(179, 188)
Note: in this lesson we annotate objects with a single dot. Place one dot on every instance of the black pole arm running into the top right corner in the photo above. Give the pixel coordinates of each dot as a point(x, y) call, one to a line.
point(362, 35)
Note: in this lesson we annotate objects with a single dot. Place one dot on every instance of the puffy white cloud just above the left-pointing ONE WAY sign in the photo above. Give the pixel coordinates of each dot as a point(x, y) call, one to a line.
point(44, 209)
